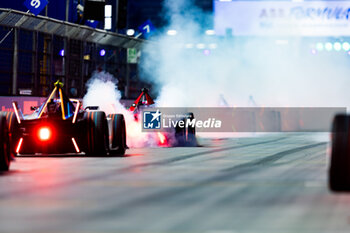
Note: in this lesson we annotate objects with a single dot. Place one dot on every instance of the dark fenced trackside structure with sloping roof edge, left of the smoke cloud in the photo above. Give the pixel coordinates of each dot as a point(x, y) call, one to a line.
point(37, 50)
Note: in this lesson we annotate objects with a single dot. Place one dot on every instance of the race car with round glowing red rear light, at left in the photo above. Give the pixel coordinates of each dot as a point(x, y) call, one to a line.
point(60, 126)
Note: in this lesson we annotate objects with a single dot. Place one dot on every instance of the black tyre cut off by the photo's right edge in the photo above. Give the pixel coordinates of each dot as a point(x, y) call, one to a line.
point(339, 171)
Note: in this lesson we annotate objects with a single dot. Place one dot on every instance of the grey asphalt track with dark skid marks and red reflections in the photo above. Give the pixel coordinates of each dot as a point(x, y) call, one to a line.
point(272, 183)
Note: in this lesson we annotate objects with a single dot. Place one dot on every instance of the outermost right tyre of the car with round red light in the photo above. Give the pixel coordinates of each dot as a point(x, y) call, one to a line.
point(118, 142)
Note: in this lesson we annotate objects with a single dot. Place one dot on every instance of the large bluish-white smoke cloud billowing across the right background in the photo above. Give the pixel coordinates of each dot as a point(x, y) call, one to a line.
point(192, 69)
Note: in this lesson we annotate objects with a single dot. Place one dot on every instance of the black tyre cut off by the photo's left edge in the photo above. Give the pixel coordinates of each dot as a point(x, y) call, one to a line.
point(5, 151)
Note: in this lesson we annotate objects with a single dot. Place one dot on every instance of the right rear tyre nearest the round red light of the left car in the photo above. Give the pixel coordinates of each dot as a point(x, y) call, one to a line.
point(97, 133)
